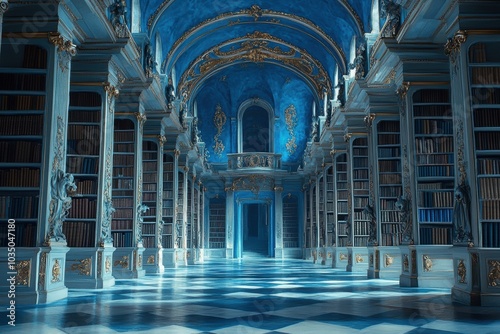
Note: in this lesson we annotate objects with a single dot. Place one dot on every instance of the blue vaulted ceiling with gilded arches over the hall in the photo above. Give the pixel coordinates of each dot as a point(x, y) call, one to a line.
point(282, 51)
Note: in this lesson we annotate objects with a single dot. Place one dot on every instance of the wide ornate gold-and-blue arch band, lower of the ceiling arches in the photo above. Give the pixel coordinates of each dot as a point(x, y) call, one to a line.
point(257, 47)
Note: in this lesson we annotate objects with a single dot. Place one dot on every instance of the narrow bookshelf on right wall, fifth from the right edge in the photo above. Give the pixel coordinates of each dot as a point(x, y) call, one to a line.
point(342, 194)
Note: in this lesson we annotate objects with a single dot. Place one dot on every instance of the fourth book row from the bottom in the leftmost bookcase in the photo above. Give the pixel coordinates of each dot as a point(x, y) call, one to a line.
point(21, 151)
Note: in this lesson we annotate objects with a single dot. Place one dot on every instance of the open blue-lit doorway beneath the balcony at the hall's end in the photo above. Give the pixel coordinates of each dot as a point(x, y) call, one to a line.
point(255, 230)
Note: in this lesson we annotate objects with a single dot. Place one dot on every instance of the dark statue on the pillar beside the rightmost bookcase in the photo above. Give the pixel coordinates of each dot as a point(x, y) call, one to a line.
point(461, 215)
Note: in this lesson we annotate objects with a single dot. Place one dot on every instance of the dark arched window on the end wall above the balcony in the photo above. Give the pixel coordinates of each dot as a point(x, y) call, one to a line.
point(255, 127)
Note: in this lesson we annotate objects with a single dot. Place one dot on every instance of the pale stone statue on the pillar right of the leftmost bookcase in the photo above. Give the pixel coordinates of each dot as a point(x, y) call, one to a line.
point(62, 184)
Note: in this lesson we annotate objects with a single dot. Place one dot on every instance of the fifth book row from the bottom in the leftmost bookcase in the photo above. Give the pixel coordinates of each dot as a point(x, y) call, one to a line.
point(21, 125)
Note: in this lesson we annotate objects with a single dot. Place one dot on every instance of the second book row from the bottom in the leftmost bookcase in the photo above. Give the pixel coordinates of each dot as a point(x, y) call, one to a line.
point(19, 207)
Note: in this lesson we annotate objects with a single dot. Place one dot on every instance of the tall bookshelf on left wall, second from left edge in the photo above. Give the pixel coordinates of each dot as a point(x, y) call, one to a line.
point(82, 160)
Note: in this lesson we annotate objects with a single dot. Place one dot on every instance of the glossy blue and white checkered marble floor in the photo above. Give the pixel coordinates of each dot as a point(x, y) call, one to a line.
point(255, 296)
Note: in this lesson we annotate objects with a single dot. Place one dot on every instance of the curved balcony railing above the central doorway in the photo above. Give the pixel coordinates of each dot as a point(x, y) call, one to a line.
point(257, 160)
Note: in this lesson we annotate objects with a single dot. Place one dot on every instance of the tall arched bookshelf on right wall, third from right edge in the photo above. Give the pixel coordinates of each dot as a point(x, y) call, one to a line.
point(389, 180)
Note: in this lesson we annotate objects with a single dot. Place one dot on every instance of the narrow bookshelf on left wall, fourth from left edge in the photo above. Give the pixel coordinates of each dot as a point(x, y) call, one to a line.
point(149, 192)
